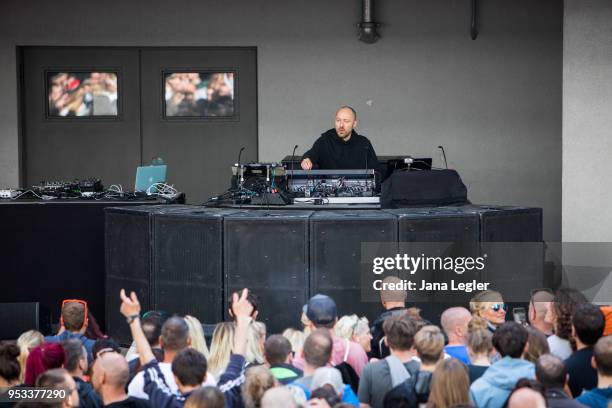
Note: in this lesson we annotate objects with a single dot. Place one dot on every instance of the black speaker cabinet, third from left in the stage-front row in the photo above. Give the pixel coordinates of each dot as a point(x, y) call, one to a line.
point(267, 252)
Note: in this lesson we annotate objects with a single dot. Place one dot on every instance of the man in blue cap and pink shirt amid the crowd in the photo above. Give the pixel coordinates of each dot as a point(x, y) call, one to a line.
point(322, 313)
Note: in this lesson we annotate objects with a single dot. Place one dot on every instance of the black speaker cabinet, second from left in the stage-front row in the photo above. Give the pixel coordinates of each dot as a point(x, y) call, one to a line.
point(188, 263)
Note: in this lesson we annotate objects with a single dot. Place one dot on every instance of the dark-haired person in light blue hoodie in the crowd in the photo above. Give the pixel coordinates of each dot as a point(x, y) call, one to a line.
point(494, 386)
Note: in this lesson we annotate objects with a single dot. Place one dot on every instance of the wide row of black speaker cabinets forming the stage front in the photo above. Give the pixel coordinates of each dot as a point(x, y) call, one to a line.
point(189, 259)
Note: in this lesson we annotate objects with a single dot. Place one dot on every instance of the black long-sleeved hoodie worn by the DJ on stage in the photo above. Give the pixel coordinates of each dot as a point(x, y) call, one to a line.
point(331, 152)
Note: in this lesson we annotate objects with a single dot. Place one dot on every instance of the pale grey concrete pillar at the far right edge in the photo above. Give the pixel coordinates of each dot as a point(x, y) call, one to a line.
point(587, 121)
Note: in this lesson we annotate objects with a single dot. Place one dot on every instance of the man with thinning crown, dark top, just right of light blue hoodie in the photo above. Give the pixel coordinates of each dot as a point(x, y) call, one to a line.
point(551, 372)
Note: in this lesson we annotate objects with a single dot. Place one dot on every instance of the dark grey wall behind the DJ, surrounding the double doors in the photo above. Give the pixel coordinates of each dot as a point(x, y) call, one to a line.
point(494, 103)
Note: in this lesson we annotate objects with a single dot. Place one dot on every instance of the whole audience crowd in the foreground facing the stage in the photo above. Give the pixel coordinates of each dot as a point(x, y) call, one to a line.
point(476, 358)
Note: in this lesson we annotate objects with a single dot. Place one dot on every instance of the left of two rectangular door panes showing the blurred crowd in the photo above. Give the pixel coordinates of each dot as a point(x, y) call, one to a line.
point(82, 94)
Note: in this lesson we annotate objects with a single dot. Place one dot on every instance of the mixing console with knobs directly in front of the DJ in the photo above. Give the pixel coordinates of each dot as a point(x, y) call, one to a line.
point(331, 183)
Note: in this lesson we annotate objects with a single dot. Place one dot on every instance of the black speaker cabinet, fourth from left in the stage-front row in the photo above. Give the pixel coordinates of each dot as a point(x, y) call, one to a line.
point(338, 268)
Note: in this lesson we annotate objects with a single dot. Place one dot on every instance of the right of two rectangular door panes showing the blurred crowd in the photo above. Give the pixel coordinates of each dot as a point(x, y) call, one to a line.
point(199, 94)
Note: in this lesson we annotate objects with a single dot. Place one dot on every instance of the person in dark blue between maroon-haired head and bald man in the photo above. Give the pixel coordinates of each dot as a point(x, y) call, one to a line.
point(76, 365)
